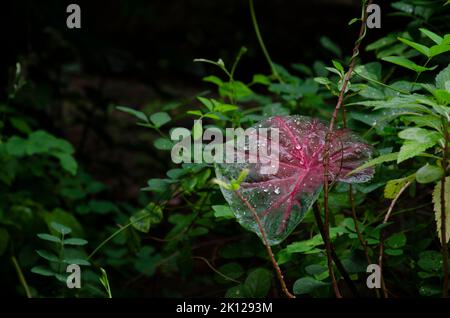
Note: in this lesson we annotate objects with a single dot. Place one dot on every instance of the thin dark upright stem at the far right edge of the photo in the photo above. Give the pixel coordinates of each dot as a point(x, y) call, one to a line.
point(443, 213)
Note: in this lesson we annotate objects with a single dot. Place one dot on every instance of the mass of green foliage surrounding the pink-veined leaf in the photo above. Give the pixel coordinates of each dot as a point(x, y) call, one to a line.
point(182, 239)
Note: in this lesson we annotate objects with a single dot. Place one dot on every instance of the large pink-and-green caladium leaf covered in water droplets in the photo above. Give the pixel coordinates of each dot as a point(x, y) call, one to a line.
point(282, 198)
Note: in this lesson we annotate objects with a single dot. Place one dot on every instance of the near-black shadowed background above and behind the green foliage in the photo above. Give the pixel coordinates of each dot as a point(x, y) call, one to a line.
point(140, 54)
